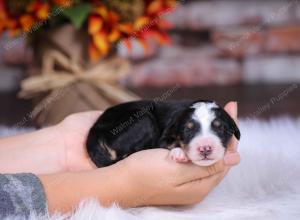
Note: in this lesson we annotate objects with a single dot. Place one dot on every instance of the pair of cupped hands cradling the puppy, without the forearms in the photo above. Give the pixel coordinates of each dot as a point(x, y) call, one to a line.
point(148, 177)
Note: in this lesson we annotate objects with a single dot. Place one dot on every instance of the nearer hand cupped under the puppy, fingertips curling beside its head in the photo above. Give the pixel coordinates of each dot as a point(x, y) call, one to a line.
point(154, 179)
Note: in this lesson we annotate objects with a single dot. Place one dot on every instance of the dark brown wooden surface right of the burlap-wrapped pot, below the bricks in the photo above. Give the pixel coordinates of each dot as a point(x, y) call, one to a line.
point(254, 101)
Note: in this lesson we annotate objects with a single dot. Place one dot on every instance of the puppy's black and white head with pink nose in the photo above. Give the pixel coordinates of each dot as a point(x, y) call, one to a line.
point(204, 131)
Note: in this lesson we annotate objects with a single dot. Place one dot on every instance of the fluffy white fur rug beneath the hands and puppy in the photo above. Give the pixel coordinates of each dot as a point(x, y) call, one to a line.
point(266, 185)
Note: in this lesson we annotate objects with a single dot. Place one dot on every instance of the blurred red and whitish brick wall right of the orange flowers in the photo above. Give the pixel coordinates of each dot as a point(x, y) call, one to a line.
point(227, 42)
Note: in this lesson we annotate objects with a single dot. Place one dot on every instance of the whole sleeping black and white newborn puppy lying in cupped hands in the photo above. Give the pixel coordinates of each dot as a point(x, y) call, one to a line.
point(196, 131)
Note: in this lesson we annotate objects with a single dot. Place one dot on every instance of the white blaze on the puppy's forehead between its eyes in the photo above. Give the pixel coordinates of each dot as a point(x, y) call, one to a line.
point(204, 115)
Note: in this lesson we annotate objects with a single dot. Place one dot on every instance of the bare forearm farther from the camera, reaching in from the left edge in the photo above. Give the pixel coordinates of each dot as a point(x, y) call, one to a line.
point(36, 152)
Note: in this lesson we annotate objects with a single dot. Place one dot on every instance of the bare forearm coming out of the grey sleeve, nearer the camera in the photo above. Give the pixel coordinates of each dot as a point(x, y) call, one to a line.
point(65, 190)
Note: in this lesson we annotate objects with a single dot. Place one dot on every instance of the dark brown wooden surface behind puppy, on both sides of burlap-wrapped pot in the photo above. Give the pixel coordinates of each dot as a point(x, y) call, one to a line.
point(254, 101)
